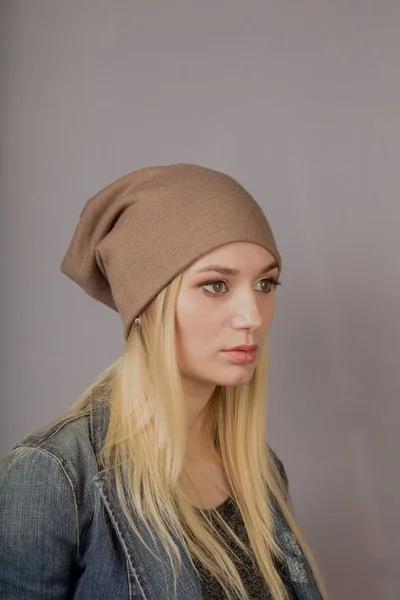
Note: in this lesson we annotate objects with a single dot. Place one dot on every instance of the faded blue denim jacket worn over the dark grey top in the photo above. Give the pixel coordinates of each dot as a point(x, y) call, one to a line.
point(63, 534)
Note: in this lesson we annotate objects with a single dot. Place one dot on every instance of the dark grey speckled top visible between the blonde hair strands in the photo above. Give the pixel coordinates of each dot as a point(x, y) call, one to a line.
point(250, 574)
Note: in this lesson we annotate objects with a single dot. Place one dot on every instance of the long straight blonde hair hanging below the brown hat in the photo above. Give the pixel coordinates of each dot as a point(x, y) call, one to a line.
point(146, 442)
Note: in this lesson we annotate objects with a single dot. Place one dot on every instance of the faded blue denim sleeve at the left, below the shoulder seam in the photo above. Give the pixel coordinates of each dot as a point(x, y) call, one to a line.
point(39, 531)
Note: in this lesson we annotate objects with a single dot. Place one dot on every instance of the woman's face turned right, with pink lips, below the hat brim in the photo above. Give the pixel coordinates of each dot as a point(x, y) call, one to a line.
point(216, 311)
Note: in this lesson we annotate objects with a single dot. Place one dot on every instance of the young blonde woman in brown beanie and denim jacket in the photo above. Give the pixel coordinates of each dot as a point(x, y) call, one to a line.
point(158, 483)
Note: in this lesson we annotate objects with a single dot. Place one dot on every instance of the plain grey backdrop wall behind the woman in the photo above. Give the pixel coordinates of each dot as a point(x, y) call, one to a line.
point(299, 100)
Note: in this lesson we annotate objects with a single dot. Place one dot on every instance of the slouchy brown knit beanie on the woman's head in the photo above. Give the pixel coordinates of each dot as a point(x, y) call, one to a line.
point(141, 231)
